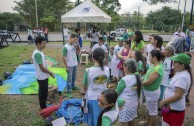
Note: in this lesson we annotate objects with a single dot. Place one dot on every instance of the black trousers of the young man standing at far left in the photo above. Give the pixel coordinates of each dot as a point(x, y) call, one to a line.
point(43, 92)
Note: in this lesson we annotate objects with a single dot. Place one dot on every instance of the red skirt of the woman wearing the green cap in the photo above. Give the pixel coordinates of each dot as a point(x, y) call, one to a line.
point(174, 118)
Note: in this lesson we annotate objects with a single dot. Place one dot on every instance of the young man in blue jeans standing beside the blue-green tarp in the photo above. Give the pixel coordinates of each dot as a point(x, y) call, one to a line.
point(70, 61)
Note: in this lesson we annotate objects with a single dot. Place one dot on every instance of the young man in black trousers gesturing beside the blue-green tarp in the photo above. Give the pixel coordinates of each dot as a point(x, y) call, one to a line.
point(42, 72)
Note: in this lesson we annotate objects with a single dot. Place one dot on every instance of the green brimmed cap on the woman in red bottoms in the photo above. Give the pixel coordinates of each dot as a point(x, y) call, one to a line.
point(182, 58)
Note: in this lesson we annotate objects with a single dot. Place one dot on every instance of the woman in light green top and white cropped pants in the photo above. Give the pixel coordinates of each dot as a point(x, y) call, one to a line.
point(151, 86)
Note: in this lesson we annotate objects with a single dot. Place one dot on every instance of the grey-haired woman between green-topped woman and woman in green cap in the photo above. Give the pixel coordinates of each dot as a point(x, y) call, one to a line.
point(168, 69)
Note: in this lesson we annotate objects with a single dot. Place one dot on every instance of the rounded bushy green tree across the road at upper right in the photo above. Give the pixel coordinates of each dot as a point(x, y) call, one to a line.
point(164, 19)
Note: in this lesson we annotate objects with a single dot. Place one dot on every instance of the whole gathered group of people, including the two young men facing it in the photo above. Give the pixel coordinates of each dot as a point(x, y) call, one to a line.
point(163, 78)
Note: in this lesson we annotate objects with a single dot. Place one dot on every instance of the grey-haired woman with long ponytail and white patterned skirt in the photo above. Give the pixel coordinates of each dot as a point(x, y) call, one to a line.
point(129, 88)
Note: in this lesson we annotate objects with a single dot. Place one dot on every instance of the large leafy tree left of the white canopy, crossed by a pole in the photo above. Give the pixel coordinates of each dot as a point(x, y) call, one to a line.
point(49, 11)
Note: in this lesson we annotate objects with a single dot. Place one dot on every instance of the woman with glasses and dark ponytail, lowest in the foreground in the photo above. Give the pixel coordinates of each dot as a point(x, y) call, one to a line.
point(110, 104)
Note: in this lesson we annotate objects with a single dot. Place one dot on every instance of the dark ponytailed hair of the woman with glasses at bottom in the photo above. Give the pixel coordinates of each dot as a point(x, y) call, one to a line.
point(111, 97)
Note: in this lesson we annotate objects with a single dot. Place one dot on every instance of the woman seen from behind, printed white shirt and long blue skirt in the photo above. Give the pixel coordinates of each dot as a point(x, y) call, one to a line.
point(95, 81)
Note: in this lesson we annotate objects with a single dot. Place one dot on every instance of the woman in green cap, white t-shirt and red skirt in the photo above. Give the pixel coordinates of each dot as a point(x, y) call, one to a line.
point(176, 90)
